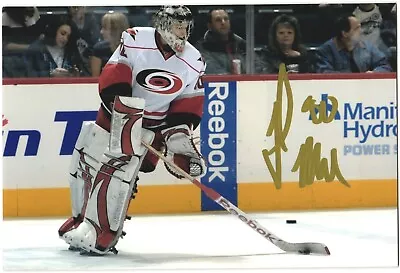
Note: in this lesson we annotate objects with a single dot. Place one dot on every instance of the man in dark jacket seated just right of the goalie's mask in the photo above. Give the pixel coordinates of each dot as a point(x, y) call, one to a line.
point(220, 47)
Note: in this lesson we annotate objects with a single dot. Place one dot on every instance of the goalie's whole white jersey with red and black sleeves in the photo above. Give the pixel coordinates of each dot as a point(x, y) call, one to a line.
point(169, 83)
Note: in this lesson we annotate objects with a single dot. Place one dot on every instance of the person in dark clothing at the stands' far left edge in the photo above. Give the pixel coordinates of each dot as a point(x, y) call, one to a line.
point(21, 26)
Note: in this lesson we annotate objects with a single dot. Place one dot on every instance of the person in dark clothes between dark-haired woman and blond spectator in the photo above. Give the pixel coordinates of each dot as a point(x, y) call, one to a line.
point(88, 33)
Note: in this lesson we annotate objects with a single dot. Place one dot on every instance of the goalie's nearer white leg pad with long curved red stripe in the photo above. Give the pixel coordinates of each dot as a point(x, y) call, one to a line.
point(108, 203)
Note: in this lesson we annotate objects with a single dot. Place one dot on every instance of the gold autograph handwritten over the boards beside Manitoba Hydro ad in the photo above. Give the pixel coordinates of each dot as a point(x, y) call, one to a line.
point(308, 162)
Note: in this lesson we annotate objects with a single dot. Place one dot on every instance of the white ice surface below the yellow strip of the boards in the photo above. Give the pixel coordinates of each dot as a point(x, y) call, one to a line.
point(367, 238)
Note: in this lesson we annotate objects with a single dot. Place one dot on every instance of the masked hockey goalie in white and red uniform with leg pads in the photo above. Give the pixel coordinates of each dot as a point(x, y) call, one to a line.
point(151, 90)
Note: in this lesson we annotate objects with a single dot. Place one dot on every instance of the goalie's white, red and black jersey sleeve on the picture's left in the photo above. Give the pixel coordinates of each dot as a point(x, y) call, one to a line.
point(116, 77)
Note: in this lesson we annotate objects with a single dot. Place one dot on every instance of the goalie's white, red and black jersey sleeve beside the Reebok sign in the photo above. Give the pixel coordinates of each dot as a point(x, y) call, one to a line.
point(187, 108)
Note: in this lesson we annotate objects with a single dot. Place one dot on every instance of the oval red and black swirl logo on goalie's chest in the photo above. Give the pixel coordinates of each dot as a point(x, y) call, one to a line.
point(159, 81)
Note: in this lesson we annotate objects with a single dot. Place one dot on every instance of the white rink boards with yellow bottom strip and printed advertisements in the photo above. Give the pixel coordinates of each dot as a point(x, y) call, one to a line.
point(337, 150)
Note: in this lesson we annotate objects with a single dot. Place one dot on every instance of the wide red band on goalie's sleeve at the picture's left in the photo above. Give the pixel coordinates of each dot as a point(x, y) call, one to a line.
point(115, 73)
